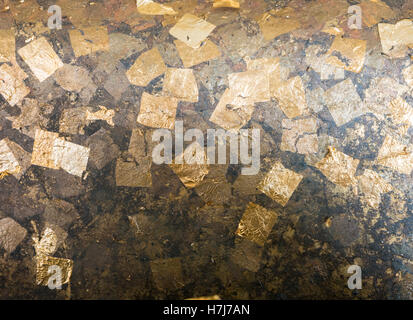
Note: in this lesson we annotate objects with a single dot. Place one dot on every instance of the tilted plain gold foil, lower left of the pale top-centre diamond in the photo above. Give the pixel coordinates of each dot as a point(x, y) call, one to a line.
point(147, 67)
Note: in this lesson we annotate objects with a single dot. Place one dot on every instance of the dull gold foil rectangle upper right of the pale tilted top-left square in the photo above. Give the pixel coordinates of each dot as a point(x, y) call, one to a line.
point(89, 40)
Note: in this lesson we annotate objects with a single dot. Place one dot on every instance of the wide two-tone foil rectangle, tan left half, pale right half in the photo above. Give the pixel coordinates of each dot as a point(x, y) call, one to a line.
point(53, 152)
